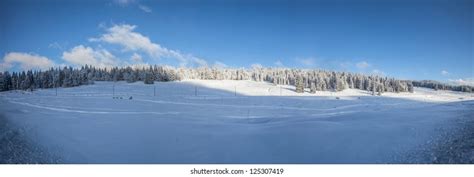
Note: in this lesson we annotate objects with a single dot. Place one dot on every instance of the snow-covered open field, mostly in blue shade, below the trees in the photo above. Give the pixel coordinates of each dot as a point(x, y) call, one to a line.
point(233, 122)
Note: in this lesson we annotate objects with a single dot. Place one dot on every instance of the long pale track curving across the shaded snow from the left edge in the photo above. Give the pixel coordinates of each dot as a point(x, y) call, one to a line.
point(91, 112)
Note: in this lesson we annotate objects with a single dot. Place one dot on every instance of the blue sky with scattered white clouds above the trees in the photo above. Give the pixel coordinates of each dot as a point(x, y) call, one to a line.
point(421, 39)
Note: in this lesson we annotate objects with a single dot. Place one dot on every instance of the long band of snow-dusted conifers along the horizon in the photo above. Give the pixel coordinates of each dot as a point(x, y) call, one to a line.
point(313, 79)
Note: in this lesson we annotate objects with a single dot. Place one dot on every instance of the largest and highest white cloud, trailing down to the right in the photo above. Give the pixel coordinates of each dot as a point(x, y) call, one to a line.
point(125, 36)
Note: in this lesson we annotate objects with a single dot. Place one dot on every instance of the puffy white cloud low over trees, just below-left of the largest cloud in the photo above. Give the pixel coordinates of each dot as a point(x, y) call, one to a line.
point(81, 55)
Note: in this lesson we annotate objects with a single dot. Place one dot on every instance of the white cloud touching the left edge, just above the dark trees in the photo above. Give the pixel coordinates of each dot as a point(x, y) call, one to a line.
point(26, 61)
